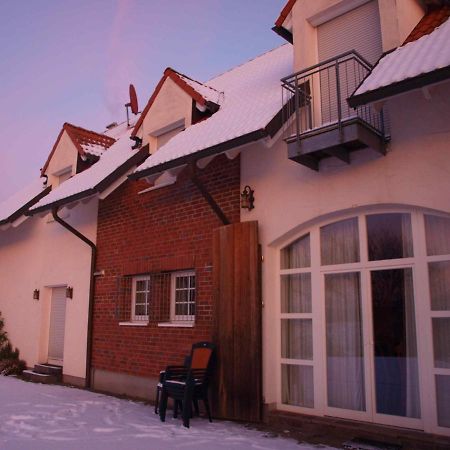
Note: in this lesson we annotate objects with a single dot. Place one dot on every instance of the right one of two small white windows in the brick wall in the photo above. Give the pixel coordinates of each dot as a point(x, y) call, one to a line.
point(182, 299)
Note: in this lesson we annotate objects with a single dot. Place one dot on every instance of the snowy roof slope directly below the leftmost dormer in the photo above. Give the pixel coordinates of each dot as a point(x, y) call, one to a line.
point(112, 165)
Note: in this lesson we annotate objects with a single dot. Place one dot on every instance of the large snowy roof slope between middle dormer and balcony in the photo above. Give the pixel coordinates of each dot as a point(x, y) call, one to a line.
point(248, 112)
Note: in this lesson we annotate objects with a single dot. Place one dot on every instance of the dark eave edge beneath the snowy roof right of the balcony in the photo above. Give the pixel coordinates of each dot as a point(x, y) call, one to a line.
point(400, 87)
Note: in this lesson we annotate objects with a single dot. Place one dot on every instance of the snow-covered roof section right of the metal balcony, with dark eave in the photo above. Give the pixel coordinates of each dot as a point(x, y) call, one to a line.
point(414, 65)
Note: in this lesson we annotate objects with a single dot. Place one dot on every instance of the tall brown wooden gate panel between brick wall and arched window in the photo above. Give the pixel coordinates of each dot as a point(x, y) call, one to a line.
point(237, 392)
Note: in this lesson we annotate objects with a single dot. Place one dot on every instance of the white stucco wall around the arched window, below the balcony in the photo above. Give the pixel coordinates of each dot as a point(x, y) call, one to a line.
point(289, 196)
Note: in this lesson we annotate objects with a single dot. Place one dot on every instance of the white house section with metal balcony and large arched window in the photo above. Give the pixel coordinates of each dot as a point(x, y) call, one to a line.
point(354, 217)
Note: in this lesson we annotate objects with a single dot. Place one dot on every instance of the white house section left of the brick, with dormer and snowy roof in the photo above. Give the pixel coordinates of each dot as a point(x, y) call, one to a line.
point(46, 270)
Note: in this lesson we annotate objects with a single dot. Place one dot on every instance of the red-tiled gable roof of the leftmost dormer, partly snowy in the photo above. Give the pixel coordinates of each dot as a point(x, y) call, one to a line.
point(87, 142)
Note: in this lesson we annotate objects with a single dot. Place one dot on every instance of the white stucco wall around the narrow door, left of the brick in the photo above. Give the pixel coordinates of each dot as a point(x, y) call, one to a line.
point(40, 254)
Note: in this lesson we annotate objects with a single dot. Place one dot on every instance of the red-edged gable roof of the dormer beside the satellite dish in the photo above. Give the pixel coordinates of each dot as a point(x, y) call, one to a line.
point(201, 93)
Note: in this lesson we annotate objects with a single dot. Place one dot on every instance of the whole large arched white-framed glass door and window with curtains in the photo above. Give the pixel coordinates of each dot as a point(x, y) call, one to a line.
point(365, 320)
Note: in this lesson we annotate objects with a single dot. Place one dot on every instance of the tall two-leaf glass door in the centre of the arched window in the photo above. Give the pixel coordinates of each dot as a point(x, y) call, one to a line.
point(371, 359)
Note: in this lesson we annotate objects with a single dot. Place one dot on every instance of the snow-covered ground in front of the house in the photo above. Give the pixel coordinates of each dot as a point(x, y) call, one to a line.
point(44, 417)
